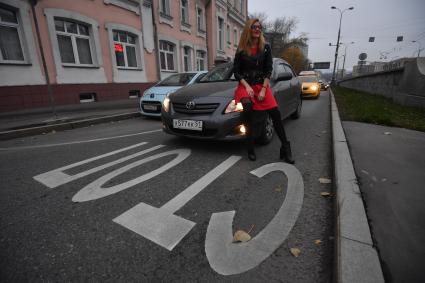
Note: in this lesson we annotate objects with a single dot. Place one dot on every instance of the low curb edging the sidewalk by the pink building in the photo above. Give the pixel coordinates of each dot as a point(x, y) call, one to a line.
point(7, 135)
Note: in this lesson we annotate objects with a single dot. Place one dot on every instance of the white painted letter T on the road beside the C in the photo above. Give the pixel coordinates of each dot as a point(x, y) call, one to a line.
point(160, 225)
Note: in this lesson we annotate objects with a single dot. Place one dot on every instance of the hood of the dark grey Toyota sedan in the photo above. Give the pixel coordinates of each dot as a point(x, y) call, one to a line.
point(213, 89)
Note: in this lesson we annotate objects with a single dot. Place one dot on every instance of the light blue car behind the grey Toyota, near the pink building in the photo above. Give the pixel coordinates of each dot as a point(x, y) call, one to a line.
point(151, 101)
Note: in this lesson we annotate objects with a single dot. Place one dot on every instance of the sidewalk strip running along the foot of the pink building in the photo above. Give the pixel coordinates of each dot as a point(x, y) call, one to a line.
point(36, 121)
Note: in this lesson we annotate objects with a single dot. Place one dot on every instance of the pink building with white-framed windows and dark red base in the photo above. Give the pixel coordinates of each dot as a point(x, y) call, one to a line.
point(102, 50)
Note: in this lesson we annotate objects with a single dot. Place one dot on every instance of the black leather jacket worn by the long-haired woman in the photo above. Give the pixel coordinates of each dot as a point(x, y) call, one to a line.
point(254, 69)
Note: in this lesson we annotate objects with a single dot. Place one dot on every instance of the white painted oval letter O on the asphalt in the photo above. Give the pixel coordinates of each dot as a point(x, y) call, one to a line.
point(94, 190)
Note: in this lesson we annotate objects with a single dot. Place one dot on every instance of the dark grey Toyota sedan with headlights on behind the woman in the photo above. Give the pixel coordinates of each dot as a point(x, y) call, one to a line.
point(207, 110)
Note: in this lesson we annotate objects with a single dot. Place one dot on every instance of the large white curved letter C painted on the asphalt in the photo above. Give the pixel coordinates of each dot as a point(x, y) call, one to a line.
point(228, 258)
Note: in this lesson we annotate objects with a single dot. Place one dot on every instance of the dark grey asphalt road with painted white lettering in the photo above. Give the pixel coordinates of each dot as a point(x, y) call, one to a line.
point(86, 222)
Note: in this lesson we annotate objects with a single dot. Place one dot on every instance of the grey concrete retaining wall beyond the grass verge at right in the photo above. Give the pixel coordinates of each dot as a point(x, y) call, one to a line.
point(405, 85)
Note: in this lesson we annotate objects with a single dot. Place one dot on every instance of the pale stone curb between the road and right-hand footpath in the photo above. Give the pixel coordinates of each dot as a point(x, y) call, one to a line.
point(357, 259)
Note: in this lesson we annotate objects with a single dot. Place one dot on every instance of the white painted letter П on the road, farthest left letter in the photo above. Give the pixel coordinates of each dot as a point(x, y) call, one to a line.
point(57, 177)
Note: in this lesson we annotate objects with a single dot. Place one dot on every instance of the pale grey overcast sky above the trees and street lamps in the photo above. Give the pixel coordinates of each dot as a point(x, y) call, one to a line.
point(383, 19)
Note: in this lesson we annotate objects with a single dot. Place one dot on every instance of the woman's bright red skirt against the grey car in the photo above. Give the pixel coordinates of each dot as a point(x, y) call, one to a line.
point(268, 102)
